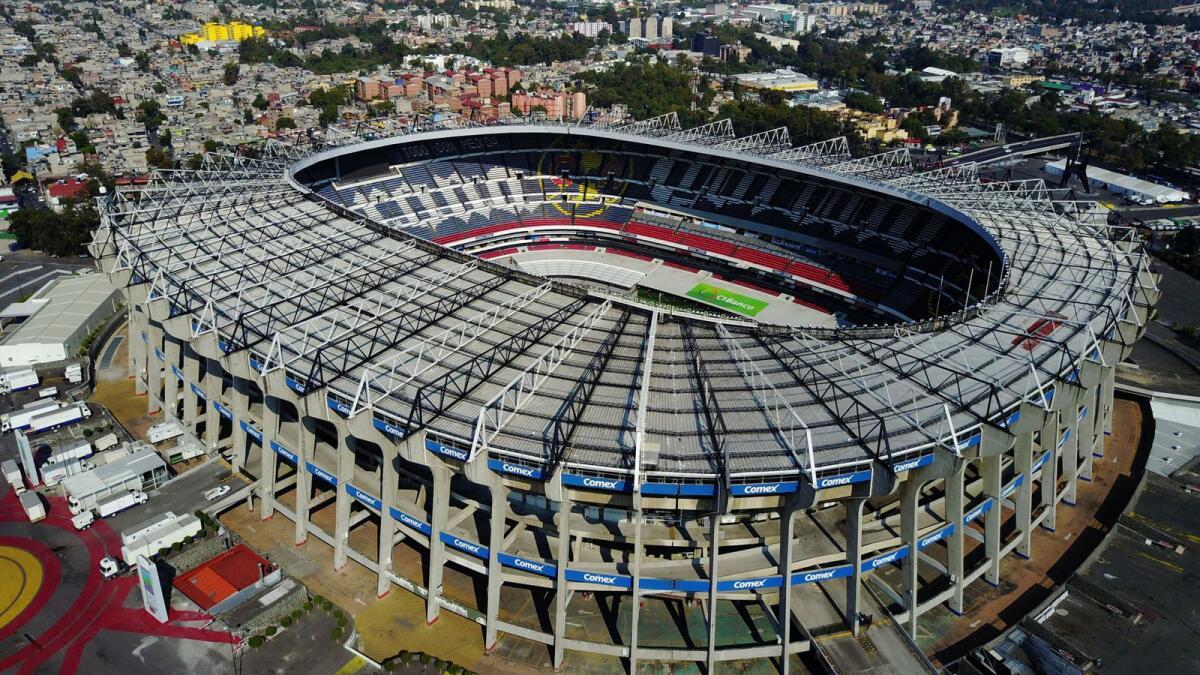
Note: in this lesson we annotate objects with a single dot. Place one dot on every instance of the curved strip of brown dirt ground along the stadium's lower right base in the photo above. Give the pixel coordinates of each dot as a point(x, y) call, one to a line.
point(1025, 583)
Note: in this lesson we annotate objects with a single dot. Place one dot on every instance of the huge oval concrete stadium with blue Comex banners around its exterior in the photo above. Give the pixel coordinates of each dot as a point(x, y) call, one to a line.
point(701, 386)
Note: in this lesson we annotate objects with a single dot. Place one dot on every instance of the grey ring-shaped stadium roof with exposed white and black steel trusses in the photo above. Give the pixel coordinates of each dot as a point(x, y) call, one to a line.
point(543, 373)
